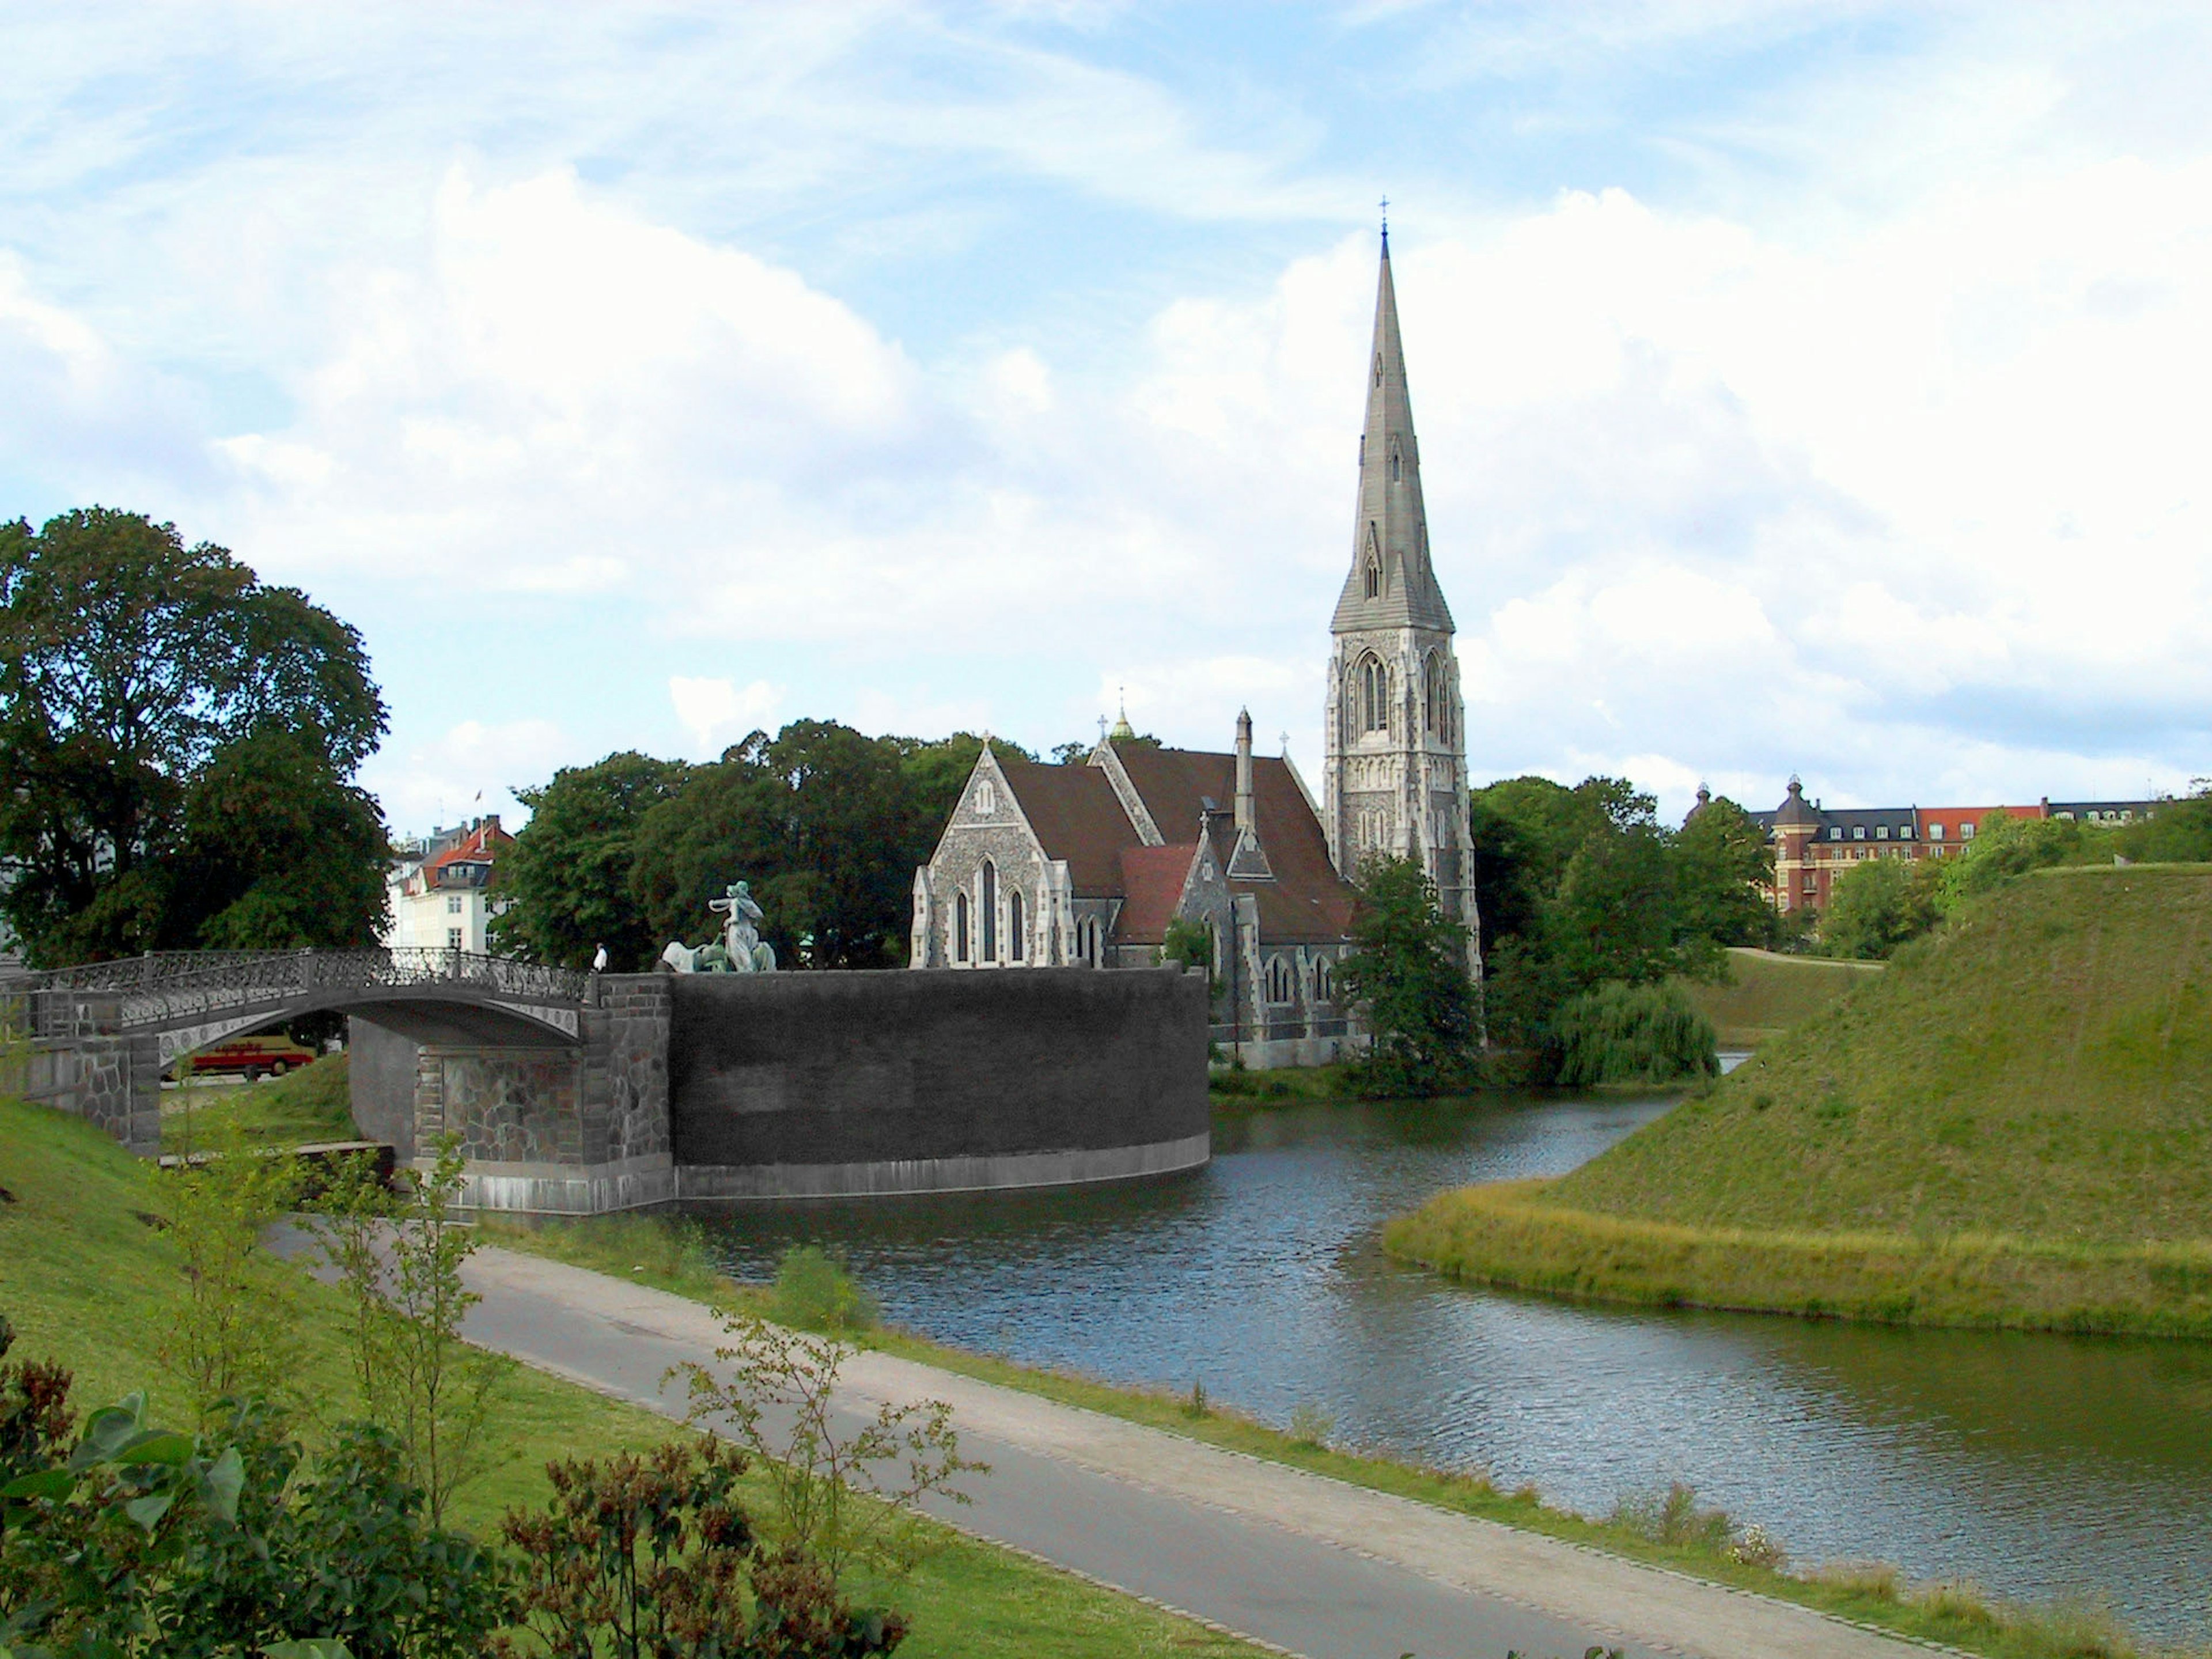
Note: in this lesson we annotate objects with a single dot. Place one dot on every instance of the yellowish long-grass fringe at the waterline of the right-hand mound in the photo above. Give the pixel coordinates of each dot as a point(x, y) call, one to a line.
point(1510, 1238)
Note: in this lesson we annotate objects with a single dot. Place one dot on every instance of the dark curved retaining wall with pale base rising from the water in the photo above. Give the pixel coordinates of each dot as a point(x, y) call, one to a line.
point(930, 1081)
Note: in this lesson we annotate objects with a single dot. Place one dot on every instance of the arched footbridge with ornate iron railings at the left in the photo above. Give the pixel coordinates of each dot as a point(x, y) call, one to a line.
point(103, 1036)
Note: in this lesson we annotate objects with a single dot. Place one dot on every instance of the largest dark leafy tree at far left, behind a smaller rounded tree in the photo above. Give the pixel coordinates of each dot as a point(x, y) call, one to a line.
point(129, 662)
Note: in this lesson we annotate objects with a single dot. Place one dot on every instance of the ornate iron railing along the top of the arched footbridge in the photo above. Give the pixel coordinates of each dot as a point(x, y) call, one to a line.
point(174, 985)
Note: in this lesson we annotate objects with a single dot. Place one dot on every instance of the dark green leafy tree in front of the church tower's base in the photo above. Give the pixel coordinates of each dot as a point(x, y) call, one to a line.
point(1410, 977)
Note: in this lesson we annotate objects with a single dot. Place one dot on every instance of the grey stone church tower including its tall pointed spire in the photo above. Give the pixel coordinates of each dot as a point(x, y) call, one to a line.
point(1395, 780)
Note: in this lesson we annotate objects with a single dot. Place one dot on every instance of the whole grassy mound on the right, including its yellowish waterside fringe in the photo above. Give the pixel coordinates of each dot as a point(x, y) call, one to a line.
point(2012, 1127)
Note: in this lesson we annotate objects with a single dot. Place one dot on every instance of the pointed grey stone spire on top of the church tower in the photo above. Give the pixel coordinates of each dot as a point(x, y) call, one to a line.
point(1392, 583)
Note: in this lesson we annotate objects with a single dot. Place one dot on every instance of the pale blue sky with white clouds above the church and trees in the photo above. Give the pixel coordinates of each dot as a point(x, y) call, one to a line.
point(1802, 388)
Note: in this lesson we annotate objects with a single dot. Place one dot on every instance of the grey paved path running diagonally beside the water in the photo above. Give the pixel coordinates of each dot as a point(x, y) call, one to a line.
point(1311, 1565)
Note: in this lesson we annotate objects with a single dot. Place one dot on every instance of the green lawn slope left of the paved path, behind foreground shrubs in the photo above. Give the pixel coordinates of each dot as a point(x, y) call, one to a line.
point(90, 1282)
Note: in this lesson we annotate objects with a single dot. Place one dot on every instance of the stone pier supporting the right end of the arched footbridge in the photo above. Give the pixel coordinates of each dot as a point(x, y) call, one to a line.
point(547, 1129)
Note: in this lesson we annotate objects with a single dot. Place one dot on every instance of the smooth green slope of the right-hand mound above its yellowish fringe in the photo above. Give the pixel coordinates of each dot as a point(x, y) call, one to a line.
point(2043, 1072)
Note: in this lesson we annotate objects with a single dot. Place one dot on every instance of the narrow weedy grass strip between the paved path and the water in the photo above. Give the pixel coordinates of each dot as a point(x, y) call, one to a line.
point(671, 1253)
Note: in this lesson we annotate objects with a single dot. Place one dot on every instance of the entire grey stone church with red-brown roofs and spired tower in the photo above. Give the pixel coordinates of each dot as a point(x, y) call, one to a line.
point(1089, 866)
